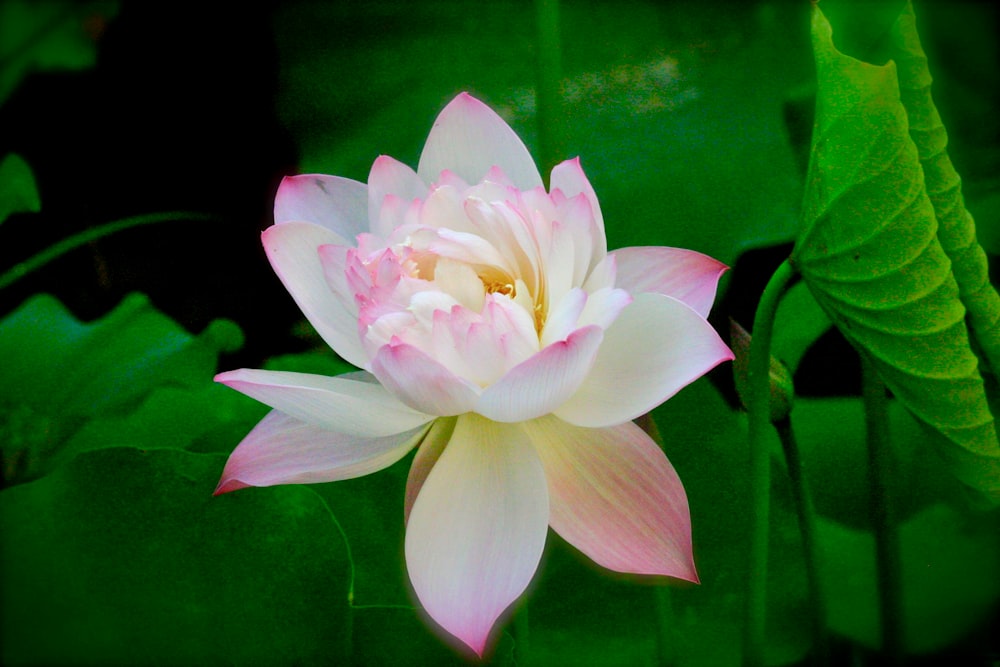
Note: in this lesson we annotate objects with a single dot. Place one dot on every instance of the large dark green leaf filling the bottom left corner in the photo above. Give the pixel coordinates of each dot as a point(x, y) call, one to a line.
point(125, 557)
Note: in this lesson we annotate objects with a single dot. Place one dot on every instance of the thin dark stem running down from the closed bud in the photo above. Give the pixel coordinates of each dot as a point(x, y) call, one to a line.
point(807, 527)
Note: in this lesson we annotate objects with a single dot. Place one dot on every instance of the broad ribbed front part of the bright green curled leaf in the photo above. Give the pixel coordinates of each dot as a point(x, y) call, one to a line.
point(870, 254)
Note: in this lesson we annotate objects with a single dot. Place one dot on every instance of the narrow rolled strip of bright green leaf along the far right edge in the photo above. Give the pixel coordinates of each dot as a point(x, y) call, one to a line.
point(956, 228)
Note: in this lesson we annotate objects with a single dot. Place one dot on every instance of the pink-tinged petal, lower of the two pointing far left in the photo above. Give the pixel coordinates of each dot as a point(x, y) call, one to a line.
point(285, 450)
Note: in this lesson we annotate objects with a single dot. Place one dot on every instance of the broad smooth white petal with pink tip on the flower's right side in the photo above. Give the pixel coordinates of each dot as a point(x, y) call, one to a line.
point(657, 346)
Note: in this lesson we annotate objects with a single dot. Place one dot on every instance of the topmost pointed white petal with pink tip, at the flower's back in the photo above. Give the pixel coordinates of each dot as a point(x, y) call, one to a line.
point(469, 138)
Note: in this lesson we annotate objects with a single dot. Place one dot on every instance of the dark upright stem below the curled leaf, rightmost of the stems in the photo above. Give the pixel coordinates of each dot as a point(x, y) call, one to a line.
point(887, 563)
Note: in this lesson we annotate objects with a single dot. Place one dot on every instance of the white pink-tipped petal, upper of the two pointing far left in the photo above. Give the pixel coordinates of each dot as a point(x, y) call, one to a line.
point(346, 405)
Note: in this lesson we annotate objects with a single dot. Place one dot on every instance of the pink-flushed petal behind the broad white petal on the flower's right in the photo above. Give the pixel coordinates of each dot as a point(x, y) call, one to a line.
point(683, 274)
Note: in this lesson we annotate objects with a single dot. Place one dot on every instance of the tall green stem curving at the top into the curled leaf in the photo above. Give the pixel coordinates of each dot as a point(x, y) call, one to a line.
point(759, 409)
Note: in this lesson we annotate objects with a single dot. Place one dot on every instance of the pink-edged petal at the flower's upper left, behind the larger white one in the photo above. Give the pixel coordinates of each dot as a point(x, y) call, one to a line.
point(339, 204)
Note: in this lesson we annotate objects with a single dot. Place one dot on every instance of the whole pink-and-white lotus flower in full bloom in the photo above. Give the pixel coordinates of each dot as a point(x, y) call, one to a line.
point(499, 338)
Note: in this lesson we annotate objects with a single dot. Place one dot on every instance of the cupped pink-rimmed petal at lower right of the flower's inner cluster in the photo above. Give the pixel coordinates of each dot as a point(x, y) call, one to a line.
point(542, 383)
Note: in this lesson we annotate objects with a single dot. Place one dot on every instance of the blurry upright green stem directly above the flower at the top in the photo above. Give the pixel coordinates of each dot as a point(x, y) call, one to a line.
point(548, 97)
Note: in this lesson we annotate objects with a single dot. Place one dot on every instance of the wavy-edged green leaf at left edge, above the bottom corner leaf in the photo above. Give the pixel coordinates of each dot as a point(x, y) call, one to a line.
point(71, 386)
